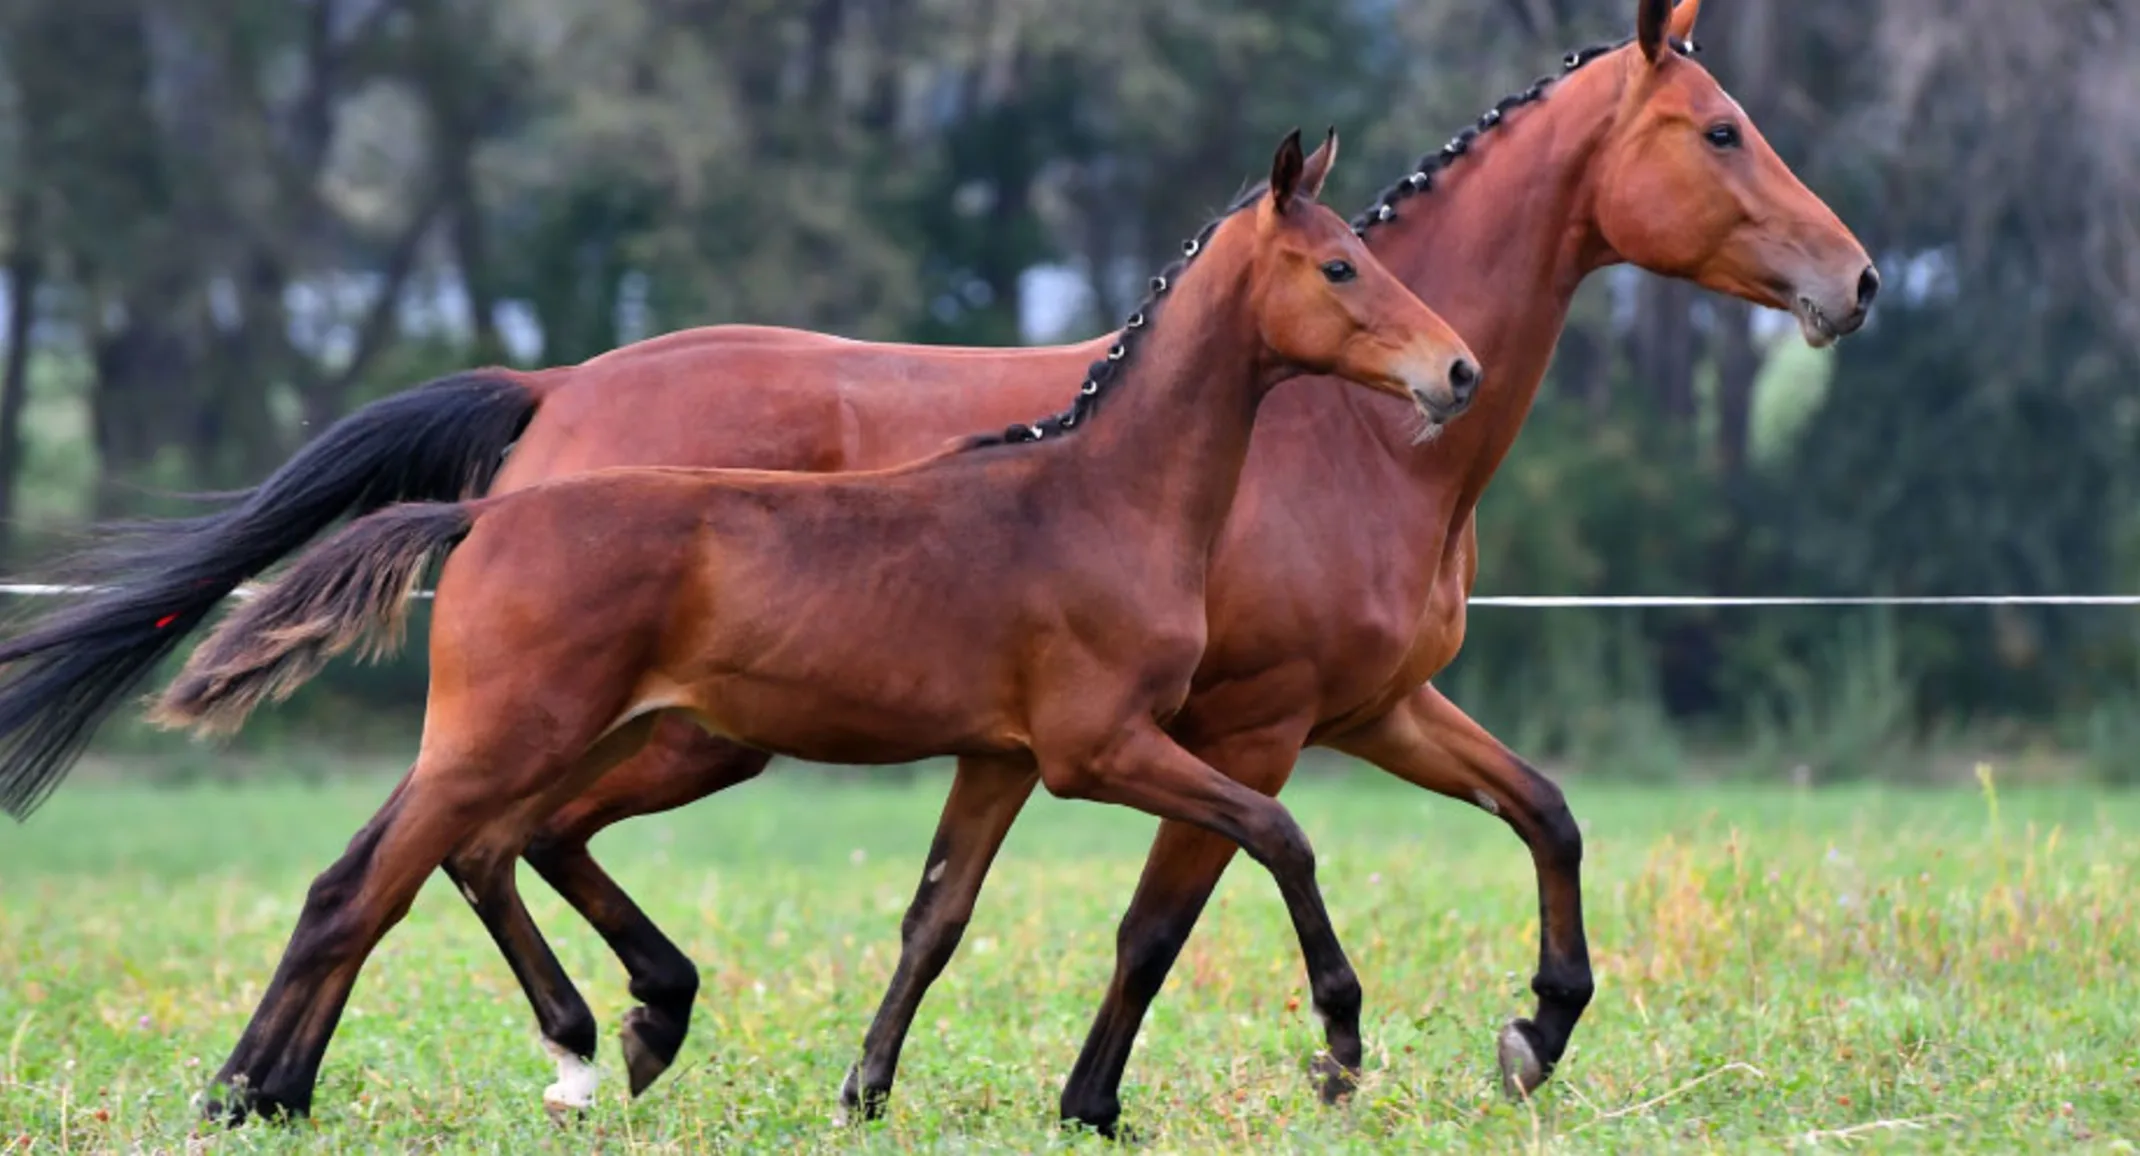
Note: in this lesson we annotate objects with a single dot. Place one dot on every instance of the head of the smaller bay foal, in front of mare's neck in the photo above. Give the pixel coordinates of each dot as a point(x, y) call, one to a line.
point(1326, 305)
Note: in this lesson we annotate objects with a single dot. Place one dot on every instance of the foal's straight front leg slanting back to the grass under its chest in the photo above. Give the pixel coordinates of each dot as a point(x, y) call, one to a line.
point(985, 800)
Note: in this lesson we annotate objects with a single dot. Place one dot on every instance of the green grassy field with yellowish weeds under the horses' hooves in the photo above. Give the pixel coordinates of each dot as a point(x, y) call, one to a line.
point(1871, 971)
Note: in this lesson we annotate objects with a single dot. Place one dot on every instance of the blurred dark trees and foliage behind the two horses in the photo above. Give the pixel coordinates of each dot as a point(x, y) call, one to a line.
point(230, 222)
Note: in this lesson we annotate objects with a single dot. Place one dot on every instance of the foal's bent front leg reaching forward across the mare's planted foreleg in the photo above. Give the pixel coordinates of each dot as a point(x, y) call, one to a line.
point(1150, 772)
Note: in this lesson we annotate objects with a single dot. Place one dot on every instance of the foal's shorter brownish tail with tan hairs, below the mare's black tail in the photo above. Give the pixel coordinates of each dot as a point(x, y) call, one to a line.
point(352, 590)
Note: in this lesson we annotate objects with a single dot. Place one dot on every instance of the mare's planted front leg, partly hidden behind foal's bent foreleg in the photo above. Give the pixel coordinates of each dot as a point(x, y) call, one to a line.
point(1180, 874)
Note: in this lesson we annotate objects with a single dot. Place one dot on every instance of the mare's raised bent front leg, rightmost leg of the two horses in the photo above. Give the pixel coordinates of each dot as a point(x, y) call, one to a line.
point(1431, 744)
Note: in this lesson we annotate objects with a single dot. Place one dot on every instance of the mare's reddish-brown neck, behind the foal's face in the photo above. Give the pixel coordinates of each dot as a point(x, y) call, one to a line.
point(1499, 249)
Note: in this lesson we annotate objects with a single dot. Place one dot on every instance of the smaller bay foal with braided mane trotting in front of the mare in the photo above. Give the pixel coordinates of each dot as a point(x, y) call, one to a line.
point(1037, 609)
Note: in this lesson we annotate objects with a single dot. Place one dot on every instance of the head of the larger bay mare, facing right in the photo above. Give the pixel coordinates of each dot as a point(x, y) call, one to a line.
point(1687, 187)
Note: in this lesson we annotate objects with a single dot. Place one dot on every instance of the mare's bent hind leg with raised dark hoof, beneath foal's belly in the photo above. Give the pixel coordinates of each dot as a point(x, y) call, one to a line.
point(682, 765)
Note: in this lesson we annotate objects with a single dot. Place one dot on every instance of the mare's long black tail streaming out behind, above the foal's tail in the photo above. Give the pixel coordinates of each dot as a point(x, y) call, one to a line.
point(159, 581)
